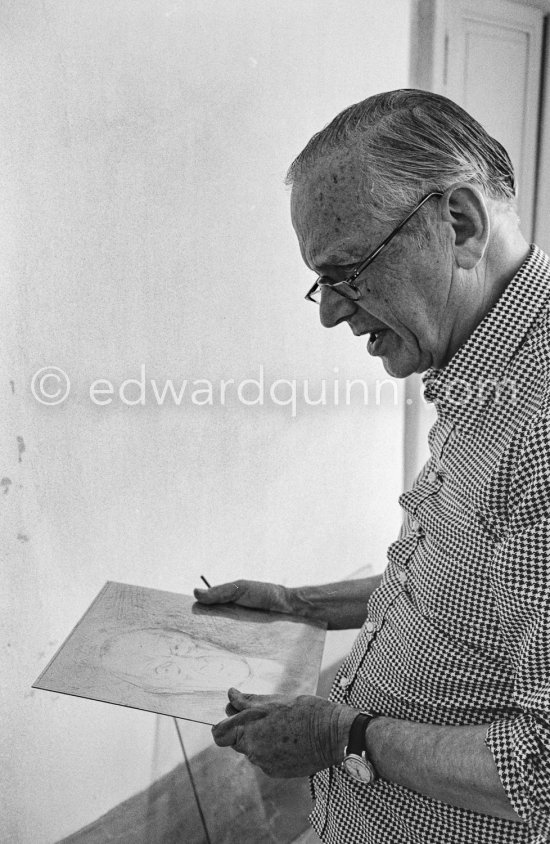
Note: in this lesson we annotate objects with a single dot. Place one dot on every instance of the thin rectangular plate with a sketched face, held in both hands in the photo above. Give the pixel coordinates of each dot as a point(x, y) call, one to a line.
point(162, 652)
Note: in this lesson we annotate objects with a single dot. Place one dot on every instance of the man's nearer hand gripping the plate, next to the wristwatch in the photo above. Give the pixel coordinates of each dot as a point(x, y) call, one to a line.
point(286, 737)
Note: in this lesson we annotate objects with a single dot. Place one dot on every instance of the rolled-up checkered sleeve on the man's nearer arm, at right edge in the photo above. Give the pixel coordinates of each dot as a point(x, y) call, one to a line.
point(520, 744)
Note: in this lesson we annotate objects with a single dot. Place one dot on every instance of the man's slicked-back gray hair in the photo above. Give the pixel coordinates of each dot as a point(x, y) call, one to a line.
point(411, 142)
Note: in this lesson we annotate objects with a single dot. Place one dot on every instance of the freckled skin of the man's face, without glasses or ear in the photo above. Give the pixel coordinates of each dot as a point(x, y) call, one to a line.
point(422, 295)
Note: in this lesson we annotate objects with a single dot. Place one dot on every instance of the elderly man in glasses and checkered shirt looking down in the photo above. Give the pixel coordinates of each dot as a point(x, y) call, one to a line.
point(437, 728)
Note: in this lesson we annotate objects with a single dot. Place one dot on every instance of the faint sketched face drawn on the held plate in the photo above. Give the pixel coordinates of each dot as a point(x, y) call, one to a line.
point(170, 661)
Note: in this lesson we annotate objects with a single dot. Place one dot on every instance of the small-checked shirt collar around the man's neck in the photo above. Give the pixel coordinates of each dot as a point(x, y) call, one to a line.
point(484, 358)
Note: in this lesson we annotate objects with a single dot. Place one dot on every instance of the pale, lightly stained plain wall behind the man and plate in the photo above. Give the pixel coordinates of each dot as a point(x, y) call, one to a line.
point(144, 221)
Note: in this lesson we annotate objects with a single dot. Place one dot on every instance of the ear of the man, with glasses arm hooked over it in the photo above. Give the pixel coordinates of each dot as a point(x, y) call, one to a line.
point(465, 208)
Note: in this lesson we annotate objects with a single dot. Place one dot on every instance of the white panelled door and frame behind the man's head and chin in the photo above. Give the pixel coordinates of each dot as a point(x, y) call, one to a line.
point(485, 55)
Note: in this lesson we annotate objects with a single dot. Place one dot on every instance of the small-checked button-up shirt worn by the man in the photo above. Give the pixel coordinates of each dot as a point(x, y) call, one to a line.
point(458, 632)
